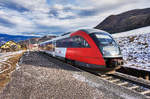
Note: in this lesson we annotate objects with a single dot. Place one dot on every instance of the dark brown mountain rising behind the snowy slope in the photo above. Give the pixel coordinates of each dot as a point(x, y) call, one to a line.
point(126, 21)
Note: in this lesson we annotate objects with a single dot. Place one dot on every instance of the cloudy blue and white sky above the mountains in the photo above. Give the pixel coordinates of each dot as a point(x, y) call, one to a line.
point(45, 17)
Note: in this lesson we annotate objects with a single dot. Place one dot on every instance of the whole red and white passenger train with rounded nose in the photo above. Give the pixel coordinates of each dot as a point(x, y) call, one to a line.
point(89, 48)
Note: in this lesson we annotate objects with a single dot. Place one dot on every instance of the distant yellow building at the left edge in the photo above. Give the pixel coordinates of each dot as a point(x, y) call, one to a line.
point(10, 46)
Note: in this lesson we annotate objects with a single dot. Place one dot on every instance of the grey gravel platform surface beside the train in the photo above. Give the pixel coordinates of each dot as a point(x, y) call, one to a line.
point(41, 77)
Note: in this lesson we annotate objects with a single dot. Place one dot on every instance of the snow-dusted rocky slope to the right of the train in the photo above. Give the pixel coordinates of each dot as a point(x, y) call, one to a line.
point(135, 48)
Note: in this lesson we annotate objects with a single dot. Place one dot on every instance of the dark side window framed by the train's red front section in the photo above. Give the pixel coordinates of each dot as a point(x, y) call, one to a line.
point(80, 42)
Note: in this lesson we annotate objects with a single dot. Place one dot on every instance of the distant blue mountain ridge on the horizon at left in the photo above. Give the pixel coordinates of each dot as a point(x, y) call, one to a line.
point(5, 37)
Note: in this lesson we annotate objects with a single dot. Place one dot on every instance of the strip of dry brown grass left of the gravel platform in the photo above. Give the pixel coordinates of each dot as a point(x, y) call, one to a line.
point(5, 76)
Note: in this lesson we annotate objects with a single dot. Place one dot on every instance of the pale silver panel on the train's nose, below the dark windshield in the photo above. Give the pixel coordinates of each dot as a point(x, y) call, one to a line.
point(110, 51)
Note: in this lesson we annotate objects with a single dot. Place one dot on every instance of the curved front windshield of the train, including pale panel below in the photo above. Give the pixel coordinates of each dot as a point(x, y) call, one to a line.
point(106, 44)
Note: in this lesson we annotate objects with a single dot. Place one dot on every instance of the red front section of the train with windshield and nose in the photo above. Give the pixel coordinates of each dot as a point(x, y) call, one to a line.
point(98, 50)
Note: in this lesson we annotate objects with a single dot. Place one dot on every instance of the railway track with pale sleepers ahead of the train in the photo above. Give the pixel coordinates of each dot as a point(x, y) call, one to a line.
point(134, 84)
